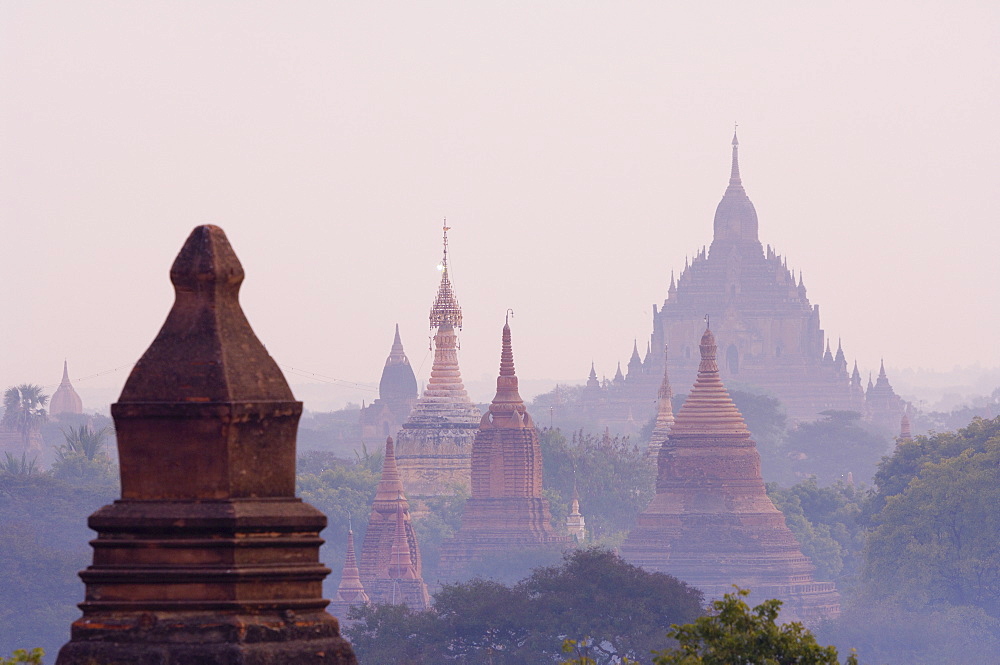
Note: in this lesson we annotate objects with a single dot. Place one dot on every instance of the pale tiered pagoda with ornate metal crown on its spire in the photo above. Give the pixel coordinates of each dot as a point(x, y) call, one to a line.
point(435, 443)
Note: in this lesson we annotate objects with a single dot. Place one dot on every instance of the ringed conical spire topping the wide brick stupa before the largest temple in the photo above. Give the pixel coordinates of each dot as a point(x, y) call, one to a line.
point(709, 410)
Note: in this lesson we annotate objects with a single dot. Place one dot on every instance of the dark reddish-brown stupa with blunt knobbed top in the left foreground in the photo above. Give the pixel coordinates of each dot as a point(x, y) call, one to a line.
point(208, 558)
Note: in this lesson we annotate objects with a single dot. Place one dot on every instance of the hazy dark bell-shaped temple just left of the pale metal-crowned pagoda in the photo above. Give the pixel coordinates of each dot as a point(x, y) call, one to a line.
point(397, 395)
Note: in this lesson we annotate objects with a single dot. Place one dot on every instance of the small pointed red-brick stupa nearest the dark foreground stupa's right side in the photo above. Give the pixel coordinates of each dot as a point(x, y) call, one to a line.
point(389, 529)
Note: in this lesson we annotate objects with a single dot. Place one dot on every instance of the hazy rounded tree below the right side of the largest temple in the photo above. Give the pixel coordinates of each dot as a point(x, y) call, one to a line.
point(838, 444)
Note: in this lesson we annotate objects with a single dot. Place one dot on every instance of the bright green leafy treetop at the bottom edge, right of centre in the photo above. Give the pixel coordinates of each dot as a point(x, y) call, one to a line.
point(735, 634)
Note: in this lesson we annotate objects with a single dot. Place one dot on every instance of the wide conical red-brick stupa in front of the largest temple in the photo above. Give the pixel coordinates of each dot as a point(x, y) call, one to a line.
point(711, 523)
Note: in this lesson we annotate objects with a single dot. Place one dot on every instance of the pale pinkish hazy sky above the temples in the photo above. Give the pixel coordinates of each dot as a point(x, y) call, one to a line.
point(578, 150)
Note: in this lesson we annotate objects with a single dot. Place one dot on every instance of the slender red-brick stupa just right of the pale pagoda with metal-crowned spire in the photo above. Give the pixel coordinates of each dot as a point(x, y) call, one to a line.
point(506, 512)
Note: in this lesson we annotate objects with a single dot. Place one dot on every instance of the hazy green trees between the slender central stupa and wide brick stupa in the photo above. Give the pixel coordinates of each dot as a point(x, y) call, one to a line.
point(614, 479)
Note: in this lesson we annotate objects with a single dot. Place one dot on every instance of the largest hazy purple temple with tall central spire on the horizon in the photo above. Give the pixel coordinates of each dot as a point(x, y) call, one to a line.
point(768, 332)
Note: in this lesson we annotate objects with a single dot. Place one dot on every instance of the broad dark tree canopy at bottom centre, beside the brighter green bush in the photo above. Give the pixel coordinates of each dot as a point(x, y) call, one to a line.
point(624, 609)
